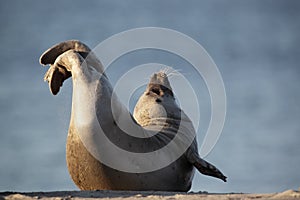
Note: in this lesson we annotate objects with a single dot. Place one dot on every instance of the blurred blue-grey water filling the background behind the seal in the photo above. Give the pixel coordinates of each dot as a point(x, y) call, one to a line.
point(255, 44)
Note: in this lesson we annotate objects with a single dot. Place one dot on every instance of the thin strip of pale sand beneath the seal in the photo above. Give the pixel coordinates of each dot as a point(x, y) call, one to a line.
point(132, 195)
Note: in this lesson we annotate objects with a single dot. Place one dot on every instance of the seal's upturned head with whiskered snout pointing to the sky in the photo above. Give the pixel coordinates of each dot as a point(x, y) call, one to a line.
point(157, 102)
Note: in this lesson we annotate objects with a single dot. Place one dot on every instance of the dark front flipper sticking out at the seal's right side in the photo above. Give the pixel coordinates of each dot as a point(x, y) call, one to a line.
point(204, 167)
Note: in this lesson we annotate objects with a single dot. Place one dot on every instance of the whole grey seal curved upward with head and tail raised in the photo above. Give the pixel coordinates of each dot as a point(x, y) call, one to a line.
point(156, 121)
